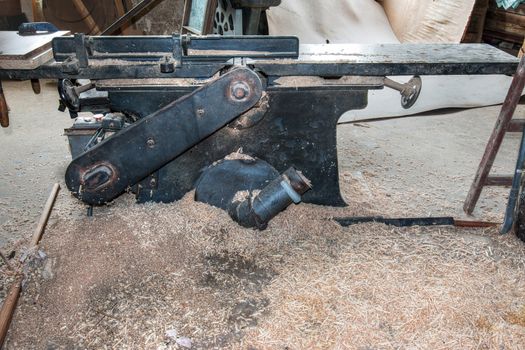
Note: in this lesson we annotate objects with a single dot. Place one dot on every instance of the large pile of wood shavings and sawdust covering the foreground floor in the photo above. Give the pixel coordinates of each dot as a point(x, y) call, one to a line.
point(133, 273)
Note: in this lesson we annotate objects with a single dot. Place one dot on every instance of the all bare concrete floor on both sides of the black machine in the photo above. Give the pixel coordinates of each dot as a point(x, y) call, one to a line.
point(420, 165)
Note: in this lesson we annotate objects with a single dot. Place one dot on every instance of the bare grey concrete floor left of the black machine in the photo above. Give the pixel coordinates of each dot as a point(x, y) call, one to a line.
point(34, 156)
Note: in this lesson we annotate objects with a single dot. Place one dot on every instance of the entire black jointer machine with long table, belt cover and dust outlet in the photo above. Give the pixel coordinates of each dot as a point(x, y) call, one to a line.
point(172, 112)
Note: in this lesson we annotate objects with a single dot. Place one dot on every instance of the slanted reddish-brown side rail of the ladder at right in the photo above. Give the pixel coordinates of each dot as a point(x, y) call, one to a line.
point(494, 143)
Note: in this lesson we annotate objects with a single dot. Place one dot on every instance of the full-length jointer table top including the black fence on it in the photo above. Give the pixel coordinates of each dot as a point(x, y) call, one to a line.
point(200, 57)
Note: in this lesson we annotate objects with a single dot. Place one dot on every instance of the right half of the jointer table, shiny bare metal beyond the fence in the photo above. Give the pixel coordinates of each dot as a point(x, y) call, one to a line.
point(395, 59)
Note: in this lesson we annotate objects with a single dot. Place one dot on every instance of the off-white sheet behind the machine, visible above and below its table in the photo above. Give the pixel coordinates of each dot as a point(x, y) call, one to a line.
point(365, 22)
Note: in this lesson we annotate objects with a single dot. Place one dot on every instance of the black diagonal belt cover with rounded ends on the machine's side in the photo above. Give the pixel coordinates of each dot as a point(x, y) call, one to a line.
point(104, 172)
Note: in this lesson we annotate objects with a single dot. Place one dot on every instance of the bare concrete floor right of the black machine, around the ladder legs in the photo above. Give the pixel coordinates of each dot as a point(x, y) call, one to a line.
point(425, 165)
